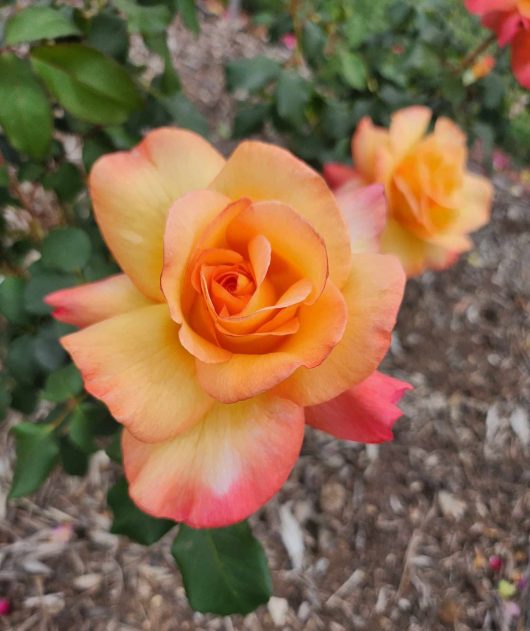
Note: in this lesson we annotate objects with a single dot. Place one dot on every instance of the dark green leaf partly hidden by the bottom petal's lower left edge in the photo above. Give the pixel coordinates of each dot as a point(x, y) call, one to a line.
point(131, 521)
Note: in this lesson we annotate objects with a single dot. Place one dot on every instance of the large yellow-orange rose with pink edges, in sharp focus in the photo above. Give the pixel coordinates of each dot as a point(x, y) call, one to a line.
point(245, 309)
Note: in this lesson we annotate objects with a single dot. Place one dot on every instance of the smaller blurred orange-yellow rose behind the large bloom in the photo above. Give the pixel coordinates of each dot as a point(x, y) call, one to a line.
point(433, 201)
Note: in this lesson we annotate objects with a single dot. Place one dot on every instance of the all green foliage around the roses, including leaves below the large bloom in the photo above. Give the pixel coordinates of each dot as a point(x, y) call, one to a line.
point(74, 86)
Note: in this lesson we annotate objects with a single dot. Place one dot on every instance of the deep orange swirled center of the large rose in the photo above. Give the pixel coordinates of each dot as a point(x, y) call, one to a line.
point(247, 277)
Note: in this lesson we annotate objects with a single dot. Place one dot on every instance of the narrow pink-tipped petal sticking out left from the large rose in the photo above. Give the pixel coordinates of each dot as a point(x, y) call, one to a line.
point(90, 303)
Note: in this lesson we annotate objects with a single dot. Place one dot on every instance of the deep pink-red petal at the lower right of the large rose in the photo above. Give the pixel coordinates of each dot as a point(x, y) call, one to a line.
point(364, 413)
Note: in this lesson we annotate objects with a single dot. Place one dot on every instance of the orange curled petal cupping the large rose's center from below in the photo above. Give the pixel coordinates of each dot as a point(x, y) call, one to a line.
point(243, 376)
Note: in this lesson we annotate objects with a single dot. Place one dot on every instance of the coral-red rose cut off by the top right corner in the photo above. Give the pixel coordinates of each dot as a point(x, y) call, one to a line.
point(510, 21)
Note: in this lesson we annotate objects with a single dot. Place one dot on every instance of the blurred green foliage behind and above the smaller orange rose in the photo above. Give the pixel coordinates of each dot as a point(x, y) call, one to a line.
point(352, 59)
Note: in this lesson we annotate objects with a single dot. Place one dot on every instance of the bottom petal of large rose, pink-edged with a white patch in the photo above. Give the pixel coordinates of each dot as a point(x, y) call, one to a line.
point(221, 470)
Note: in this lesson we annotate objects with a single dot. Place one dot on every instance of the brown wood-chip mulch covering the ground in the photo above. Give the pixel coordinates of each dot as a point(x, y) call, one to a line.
point(395, 538)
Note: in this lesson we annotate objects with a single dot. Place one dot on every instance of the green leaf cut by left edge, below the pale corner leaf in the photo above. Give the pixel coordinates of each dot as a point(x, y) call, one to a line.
point(25, 113)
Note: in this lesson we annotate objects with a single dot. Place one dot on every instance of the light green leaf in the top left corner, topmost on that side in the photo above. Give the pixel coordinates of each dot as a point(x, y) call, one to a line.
point(36, 23)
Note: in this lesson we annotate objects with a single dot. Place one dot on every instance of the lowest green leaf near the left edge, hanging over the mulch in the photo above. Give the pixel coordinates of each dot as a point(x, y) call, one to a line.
point(37, 451)
